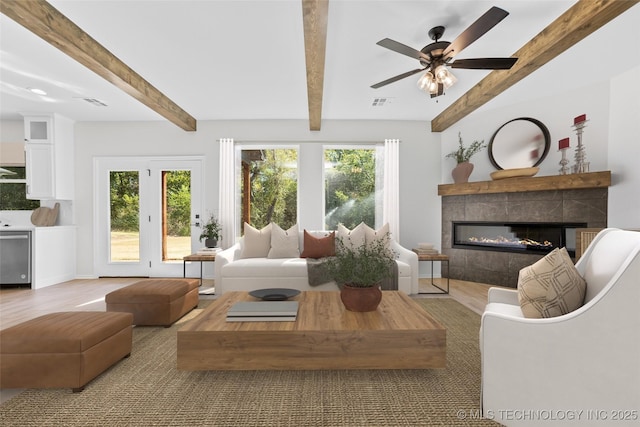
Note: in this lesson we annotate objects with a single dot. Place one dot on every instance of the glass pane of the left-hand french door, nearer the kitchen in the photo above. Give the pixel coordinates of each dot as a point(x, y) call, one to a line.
point(124, 227)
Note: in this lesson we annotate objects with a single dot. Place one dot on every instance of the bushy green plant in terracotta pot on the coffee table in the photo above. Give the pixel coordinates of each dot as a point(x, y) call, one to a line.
point(360, 270)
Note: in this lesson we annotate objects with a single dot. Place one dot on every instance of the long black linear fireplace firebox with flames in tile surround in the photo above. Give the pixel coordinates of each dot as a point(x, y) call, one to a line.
point(533, 237)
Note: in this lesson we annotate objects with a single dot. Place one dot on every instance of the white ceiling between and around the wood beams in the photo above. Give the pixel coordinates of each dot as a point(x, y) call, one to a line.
point(221, 60)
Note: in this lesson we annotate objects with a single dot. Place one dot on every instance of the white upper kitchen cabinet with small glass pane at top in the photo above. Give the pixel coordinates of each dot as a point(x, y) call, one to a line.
point(49, 157)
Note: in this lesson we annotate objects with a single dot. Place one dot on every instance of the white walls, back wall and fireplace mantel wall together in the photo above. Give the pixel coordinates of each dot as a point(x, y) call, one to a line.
point(610, 139)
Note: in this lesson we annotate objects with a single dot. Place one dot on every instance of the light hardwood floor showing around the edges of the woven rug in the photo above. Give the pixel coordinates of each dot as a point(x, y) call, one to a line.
point(18, 305)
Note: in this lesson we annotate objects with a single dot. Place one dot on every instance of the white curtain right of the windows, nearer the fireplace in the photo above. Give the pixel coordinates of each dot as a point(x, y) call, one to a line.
point(390, 210)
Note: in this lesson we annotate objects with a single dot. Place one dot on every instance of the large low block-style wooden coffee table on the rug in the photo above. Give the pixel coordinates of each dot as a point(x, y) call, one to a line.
point(399, 335)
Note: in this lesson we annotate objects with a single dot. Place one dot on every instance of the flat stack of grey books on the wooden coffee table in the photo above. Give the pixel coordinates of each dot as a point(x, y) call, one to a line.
point(263, 311)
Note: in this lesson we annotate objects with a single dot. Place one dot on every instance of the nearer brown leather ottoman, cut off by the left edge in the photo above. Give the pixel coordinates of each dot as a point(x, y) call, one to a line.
point(60, 350)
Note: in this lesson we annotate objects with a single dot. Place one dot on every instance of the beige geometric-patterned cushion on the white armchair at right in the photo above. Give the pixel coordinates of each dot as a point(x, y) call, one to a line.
point(550, 287)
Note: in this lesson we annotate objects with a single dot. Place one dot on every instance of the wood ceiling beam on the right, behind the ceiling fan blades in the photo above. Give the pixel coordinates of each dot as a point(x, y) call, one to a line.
point(582, 19)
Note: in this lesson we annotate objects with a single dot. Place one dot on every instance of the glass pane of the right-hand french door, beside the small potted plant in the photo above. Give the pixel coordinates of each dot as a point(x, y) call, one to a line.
point(176, 215)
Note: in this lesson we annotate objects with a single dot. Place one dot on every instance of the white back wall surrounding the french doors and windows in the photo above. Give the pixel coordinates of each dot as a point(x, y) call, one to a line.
point(419, 158)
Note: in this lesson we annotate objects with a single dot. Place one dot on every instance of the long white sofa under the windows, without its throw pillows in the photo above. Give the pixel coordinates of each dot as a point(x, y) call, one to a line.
point(233, 273)
